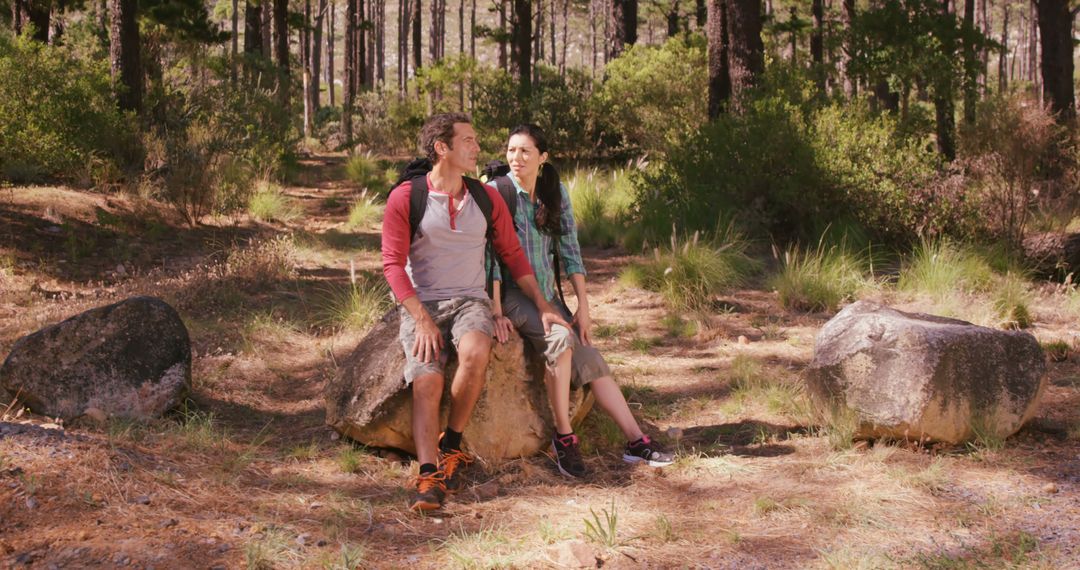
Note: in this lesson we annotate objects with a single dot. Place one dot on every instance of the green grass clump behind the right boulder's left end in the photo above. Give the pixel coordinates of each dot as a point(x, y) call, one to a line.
point(820, 280)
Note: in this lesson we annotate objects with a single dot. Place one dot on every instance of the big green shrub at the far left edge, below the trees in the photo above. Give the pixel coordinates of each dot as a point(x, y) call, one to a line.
point(58, 115)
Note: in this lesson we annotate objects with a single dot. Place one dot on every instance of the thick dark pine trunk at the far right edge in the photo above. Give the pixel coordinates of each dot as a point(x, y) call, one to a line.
point(1056, 26)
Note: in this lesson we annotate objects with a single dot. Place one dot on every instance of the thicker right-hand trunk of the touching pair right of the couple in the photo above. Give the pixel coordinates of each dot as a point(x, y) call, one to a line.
point(747, 51)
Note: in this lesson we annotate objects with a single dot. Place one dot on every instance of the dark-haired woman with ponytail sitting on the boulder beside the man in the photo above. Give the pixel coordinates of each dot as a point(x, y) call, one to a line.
point(544, 213)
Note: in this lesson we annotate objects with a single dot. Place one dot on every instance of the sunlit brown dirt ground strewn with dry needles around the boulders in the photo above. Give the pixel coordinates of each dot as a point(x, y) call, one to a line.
point(249, 477)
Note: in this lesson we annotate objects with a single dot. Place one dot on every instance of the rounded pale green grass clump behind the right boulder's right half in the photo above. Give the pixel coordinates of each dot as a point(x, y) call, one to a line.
point(941, 269)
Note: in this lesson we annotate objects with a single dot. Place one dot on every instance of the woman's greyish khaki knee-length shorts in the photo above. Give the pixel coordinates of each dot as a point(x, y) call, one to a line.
point(586, 364)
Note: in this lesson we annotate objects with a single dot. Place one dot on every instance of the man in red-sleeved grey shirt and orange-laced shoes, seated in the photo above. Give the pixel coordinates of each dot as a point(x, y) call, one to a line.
point(438, 276)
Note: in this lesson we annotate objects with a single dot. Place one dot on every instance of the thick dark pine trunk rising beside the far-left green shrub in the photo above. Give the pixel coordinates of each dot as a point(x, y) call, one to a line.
point(125, 53)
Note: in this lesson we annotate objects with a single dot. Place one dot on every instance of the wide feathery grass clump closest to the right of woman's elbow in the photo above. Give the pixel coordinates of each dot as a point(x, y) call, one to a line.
point(691, 274)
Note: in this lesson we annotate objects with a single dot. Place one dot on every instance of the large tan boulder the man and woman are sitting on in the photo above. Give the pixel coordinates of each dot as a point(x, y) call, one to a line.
point(368, 401)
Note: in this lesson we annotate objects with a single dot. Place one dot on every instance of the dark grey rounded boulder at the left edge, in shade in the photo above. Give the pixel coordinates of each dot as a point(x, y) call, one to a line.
point(130, 360)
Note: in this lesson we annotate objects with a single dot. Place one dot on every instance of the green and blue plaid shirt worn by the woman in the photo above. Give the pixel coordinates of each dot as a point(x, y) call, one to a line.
point(537, 246)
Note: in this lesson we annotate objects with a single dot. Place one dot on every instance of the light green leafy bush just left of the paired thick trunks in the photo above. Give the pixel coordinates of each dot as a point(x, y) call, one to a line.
point(652, 96)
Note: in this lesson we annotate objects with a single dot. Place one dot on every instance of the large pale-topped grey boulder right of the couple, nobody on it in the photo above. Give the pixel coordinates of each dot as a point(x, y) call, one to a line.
point(911, 376)
